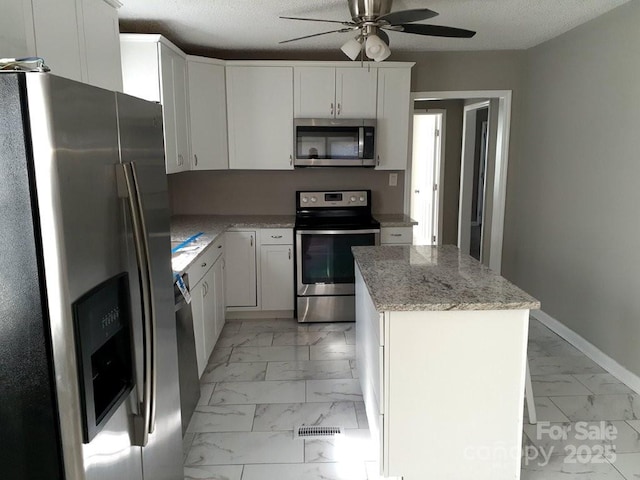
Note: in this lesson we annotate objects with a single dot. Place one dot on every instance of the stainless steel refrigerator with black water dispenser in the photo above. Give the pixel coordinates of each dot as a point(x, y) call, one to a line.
point(88, 357)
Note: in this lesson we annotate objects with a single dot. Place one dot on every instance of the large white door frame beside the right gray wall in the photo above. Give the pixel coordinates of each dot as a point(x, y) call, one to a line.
point(504, 98)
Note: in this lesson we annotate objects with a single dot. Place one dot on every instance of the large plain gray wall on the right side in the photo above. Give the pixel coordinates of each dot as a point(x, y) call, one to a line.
point(572, 225)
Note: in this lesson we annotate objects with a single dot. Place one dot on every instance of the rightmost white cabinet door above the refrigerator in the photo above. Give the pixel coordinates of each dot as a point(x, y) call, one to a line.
point(102, 44)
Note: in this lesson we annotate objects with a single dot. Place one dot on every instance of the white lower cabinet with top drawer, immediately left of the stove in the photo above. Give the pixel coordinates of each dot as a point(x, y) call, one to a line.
point(276, 269)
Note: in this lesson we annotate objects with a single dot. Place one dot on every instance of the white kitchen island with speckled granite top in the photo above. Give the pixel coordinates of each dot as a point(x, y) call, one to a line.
point(441, 352)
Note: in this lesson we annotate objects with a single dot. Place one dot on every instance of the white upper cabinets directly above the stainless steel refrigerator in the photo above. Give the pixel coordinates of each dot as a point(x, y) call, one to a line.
point(77, 39)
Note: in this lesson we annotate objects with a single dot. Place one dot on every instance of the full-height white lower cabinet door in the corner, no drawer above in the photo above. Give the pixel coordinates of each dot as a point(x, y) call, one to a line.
point(240, 258)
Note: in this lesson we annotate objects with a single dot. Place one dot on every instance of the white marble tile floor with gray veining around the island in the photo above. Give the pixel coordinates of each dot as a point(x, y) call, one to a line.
point(265, 377)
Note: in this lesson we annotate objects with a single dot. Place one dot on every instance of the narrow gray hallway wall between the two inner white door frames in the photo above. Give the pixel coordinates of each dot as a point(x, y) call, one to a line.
point(452, 152)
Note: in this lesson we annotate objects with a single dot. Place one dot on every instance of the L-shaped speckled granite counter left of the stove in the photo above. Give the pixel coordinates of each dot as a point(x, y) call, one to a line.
point(184, 227)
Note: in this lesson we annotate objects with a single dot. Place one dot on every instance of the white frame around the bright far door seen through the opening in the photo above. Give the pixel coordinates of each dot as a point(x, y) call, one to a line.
point(438, 215)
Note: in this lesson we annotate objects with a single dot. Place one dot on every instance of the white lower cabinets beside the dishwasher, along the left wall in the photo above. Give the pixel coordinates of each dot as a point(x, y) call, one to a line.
point(206, 279)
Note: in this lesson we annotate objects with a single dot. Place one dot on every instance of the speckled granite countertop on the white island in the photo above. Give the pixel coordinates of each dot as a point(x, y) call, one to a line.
point(417, 278)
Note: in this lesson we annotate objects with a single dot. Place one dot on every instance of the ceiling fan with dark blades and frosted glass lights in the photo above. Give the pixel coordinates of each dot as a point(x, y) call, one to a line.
point(370, 18)
